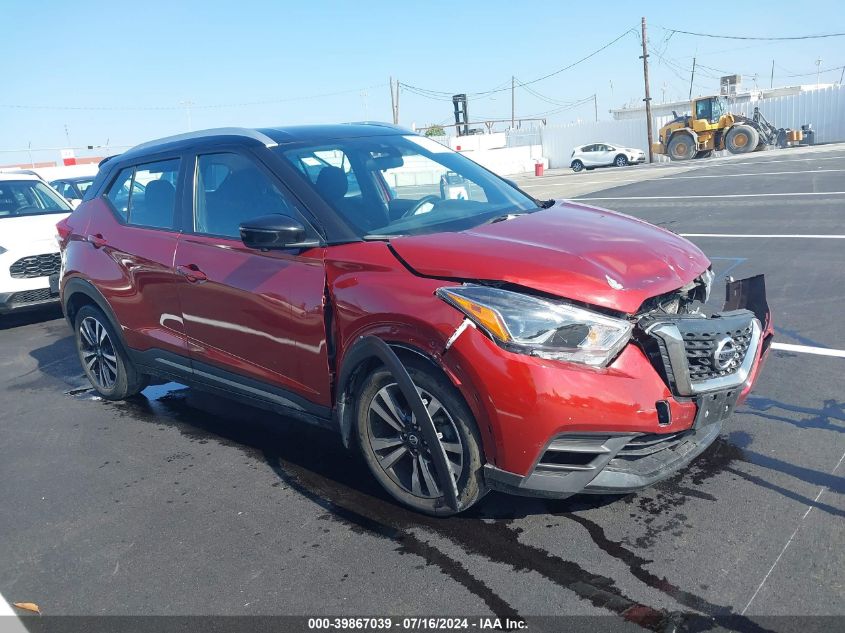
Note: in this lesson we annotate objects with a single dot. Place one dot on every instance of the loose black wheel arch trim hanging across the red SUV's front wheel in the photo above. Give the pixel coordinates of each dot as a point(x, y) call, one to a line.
point(372, 347)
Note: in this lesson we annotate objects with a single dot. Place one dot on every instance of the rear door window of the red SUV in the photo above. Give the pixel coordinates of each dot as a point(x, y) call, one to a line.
point(145, 194)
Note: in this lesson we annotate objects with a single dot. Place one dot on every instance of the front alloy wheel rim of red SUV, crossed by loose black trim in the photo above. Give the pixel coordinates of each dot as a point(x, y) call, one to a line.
point(398, 444)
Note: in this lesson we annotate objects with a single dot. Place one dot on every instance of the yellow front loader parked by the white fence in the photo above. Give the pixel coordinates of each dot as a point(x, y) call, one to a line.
point(711, 126)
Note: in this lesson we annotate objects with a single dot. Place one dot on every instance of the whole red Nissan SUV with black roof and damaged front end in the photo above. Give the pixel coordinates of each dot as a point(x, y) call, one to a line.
point(459, 333)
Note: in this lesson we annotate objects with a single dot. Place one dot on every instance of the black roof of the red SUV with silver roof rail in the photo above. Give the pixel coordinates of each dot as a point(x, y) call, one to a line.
point(269, 137)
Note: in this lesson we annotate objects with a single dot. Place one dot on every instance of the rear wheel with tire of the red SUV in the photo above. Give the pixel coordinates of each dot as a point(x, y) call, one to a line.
point(103, 357)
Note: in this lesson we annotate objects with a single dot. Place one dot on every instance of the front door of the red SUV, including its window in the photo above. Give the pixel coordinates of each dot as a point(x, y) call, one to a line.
point(254, 319)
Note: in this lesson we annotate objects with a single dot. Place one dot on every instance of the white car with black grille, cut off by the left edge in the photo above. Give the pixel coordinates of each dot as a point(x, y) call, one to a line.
point(29, 254)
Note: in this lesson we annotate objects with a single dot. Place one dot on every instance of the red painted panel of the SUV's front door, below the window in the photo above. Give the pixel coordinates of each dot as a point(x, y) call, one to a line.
point(259, 314)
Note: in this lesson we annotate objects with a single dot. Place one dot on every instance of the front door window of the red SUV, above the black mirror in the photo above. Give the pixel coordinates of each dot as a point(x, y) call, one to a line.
point(230, 189)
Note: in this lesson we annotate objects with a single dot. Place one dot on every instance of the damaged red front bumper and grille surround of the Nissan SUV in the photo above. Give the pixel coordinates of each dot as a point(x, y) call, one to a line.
point(563, 429)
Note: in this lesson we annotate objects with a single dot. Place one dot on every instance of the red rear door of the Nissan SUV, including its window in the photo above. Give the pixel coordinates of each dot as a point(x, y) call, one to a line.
point(132, 250)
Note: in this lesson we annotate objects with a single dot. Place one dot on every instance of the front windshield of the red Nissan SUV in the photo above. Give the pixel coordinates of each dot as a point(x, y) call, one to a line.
point(404, 185)
